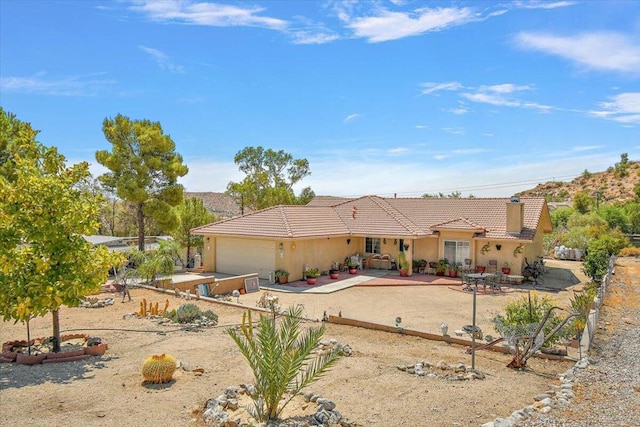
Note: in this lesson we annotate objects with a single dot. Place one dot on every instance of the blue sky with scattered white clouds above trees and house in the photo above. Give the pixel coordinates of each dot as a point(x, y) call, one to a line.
point(382, 97)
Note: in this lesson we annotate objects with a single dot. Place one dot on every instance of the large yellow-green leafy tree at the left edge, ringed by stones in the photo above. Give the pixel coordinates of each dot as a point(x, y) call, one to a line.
point(44, 212)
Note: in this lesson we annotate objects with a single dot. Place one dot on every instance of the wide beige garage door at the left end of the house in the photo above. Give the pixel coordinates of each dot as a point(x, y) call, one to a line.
point(240, 256)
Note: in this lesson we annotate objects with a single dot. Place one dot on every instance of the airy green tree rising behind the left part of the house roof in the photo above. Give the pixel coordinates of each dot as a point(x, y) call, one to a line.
point(270, 177)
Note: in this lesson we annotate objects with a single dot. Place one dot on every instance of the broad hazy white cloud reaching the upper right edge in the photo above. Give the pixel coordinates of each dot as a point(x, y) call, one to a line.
point(606, 51)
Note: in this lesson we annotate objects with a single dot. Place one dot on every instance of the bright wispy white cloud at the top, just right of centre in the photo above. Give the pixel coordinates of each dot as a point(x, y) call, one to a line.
point(387, 25)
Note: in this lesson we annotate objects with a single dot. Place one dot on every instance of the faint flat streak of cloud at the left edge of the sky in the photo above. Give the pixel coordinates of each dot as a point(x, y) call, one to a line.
point(64, 86)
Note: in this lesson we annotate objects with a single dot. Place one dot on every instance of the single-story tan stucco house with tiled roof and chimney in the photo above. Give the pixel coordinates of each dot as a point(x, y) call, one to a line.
point(293, 238)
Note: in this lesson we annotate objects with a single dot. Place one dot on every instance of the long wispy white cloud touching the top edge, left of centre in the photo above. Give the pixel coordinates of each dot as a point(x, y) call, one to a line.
point(209, 14)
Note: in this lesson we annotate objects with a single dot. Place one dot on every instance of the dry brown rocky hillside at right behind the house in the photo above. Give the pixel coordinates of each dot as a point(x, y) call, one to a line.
point(608, 186)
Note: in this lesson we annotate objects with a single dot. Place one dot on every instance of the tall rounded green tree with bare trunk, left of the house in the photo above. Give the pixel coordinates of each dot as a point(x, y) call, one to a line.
point(144, 169)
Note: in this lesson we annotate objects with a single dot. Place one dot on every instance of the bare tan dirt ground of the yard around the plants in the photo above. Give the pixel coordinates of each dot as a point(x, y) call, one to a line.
point(367, 387)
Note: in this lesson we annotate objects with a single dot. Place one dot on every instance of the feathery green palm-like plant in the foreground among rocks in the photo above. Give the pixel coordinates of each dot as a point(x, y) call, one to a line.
point(280, 356)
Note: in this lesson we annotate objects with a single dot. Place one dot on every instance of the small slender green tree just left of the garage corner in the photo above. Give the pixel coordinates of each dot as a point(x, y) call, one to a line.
point(191, 214)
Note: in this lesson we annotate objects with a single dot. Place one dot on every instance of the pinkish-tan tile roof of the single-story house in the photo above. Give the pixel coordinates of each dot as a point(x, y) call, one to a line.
point(377, 216)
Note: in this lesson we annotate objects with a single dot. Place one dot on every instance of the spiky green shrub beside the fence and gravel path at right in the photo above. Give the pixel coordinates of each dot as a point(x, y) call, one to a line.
point(525, 311)
